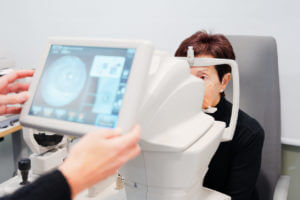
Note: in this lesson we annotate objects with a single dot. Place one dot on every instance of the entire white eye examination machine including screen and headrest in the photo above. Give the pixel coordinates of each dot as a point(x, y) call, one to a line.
point(84, 85)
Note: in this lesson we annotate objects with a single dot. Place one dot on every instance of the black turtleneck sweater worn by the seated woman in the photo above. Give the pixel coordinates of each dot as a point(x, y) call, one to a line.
point(235, 166)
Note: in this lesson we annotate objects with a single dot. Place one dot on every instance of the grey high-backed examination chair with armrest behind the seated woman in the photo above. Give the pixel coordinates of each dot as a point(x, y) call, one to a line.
point(260, 98)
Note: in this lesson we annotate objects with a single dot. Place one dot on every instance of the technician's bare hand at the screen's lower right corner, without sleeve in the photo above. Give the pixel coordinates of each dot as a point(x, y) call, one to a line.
point(99, 155)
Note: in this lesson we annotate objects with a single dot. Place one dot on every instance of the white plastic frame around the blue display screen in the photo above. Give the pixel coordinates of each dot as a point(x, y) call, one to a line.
point(131, 100)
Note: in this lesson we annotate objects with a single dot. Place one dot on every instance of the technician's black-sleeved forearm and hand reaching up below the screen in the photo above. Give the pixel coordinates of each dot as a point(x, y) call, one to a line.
point(95, 157)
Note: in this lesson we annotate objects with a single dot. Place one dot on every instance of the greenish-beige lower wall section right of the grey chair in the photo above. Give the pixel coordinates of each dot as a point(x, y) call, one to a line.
point(291, 167)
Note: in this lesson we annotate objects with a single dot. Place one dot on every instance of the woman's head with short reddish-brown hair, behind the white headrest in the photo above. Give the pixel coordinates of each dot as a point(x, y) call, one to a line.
point(216, 78)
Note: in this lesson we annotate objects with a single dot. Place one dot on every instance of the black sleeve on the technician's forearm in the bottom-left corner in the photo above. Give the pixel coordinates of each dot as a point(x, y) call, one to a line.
point(52, 186)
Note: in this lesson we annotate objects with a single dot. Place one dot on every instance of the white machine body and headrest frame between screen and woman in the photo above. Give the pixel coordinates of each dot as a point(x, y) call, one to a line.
point(178, 139)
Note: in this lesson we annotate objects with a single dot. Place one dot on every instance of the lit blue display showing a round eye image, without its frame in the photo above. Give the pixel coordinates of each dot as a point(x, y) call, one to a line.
point(83, 84)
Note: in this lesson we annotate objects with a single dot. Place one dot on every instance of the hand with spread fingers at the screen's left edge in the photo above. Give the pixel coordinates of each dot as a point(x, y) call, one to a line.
point(8, 85)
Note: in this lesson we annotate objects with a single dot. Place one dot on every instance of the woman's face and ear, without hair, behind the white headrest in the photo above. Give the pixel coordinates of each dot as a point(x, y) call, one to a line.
point(212, 84)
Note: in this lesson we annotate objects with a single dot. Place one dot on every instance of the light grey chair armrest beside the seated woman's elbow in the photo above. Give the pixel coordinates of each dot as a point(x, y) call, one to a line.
point(282, 188)
